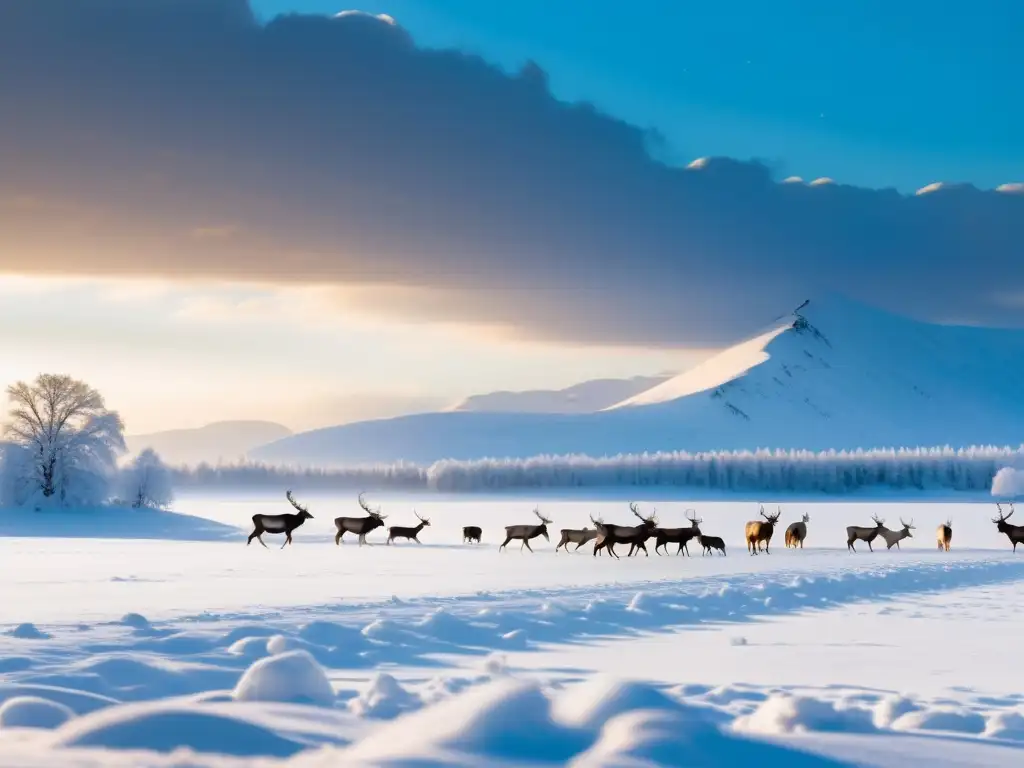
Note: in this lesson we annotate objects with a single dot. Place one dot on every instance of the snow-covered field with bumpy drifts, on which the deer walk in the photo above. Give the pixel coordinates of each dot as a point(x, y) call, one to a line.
point(143, 639)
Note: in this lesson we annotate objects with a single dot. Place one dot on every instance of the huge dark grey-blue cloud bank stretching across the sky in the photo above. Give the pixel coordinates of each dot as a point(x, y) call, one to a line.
point(183, 139)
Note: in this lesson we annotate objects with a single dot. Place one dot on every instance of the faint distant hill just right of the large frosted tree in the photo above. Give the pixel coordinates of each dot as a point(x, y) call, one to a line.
point(226, 441)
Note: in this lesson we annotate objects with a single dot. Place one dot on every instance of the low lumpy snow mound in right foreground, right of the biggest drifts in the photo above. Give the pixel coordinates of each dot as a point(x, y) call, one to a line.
point(784, 714)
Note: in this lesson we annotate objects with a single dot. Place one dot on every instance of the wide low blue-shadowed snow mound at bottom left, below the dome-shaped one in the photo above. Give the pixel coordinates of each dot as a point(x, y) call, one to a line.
point(165, 729)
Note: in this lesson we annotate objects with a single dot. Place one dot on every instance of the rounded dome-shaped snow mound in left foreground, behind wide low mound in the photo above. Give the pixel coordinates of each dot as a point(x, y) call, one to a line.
point(291, 677)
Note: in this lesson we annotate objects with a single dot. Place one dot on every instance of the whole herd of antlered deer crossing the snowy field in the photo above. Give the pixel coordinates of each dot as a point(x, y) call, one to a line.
point(757, 534)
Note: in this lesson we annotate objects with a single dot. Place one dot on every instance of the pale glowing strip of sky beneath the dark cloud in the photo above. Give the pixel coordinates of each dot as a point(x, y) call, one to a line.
point(172, 355)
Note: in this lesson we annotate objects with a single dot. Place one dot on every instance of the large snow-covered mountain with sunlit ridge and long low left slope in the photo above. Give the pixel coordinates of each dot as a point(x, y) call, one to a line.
point(836, 374)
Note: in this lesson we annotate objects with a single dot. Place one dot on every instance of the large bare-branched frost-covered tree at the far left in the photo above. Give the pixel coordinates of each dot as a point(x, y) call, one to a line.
point(69, 441)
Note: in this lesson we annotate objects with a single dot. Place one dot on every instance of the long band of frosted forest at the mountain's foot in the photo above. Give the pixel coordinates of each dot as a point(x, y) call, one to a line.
point(797, 472)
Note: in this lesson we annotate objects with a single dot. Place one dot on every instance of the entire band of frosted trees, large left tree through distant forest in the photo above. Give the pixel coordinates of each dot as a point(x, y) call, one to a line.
point(64, 447)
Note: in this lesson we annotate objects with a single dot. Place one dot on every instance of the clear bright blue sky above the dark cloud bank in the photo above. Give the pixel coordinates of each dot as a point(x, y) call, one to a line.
point(874, 93)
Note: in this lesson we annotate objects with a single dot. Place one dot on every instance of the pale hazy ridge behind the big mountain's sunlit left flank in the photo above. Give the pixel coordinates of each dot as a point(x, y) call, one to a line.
point(585, 398)
